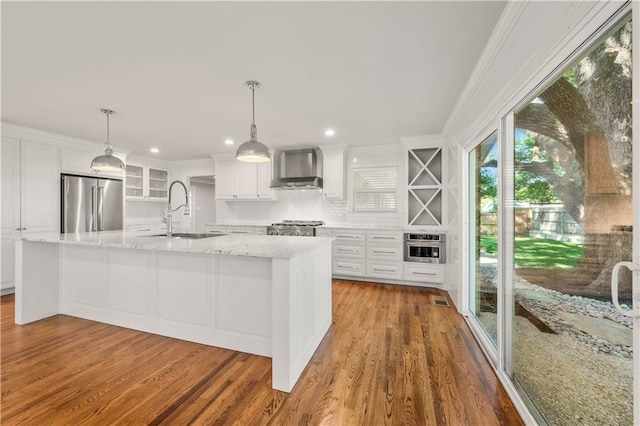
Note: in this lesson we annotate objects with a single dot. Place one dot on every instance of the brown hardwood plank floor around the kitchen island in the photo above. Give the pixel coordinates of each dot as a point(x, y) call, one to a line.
point(391, 357)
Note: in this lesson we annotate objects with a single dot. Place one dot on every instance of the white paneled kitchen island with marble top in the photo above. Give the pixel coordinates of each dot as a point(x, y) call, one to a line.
point(265, 295)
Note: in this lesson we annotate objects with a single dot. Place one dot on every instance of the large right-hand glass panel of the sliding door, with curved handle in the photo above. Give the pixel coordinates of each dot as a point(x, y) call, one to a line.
point(572, 221)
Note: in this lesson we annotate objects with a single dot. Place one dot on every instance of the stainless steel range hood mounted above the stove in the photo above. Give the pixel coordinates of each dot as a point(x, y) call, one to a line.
point(297, 169)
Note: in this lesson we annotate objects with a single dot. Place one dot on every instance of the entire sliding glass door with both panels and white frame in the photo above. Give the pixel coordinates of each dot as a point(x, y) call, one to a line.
point(553, 225)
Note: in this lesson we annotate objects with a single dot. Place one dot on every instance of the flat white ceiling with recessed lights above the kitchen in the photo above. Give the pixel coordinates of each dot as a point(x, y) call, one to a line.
point(174, 72)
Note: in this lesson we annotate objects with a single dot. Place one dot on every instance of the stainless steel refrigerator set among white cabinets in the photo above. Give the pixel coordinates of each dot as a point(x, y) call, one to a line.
point(91, 204)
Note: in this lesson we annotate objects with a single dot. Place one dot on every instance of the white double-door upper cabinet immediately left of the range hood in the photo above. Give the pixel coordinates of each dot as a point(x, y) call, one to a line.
point(237, 180)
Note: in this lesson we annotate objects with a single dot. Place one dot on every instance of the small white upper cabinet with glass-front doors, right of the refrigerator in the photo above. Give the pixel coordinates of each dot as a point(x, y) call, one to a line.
point(146, 183)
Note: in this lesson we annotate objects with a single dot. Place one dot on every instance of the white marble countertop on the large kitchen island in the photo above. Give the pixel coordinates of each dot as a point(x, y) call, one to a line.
point(280, 247)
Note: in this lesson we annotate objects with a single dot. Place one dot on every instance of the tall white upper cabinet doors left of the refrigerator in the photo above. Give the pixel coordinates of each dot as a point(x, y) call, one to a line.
point(30, 186)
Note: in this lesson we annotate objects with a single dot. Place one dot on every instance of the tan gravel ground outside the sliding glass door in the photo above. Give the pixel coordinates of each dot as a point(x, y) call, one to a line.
point(575, 378)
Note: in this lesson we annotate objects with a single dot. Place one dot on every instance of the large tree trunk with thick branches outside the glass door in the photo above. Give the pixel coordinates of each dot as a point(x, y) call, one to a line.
point(592, 120)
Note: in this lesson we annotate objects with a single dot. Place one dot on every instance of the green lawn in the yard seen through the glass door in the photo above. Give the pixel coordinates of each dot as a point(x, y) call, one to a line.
point(539, 253)
